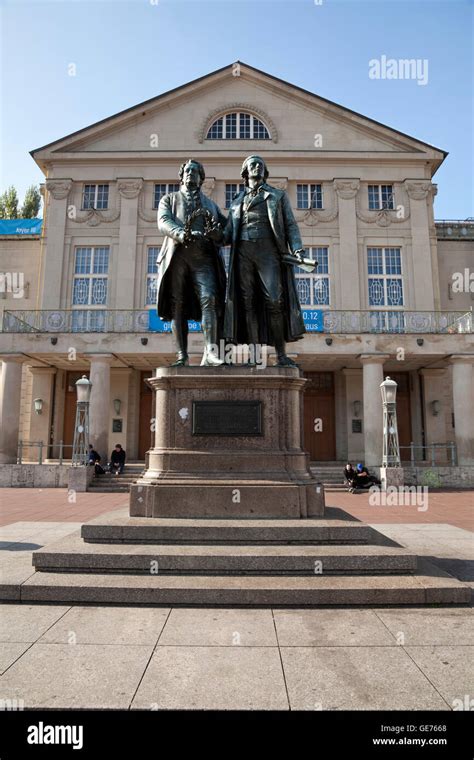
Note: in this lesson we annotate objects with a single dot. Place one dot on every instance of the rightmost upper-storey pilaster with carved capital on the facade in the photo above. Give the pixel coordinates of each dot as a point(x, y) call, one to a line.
point(420, 193)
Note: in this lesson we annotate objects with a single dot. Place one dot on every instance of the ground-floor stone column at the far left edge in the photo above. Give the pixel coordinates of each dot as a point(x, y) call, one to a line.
point(10, 395)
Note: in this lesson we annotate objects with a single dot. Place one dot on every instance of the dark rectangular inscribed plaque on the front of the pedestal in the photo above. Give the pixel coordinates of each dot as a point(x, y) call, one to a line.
point(227, 418)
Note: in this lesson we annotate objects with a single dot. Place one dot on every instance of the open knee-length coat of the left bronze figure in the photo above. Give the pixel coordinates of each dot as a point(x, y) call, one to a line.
point(171, 221)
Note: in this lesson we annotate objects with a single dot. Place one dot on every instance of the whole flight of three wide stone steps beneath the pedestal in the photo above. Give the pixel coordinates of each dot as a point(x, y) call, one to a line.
point(335, 560)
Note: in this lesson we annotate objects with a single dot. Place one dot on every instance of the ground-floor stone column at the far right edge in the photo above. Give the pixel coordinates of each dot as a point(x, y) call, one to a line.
point(463, 403)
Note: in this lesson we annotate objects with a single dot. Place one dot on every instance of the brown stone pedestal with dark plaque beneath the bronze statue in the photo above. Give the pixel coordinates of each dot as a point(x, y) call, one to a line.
point(231, 461)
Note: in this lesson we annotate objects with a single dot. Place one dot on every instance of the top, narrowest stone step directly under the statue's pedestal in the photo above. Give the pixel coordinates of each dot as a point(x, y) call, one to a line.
point(337, 529)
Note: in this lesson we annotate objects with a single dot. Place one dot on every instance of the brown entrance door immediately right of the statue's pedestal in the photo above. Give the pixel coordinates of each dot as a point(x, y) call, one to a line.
point(319, 416)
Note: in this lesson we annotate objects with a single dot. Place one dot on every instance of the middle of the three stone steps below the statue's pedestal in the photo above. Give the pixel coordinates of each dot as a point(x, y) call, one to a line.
point(73, 554)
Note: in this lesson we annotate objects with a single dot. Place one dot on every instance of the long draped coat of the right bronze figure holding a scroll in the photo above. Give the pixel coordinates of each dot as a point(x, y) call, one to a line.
point(287, 237)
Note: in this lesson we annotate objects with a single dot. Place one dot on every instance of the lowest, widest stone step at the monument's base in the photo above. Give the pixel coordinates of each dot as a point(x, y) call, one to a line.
point(429, 586)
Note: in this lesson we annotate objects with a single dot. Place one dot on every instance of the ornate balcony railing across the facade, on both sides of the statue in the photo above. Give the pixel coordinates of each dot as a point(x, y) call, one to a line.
point(325, 321)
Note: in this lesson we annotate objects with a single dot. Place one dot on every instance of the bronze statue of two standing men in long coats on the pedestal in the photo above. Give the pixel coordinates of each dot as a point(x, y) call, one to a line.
point(259, 302)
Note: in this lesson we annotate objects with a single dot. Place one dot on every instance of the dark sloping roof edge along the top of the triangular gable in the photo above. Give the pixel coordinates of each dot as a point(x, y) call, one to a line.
point(218, 71)
